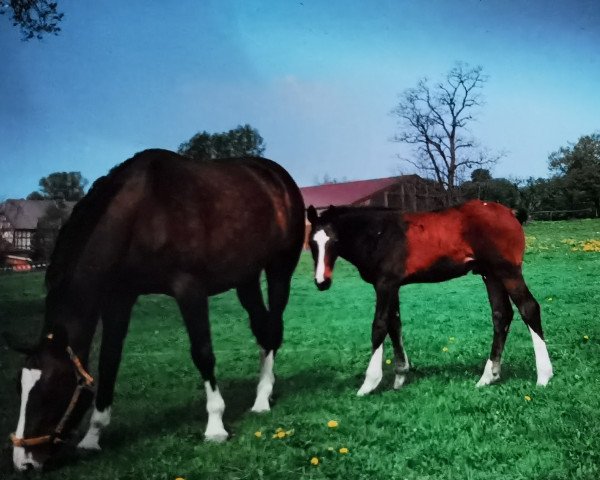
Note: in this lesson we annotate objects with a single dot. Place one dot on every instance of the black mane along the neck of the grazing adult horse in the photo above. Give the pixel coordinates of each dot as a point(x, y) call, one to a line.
point(76, 231)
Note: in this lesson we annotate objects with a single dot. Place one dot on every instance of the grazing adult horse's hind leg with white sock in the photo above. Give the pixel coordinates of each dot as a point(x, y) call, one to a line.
point(250, 297)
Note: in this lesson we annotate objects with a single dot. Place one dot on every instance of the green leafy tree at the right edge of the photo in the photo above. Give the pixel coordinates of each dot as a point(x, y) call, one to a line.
point(578, 166)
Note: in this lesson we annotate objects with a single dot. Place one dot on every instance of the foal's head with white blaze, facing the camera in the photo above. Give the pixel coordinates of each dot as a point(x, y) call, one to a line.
point(323, 241)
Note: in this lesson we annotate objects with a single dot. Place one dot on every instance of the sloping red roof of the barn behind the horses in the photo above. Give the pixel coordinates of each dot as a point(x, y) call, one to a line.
point(347, 193)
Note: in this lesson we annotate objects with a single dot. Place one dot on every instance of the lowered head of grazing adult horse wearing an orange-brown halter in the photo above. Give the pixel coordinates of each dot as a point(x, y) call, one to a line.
point(55, 393)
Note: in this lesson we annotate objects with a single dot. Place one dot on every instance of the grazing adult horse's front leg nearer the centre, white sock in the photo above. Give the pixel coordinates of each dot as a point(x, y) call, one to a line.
point(194, 309)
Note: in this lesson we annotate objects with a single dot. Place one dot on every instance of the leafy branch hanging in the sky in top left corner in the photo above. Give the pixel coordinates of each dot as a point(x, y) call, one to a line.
point(35, 18)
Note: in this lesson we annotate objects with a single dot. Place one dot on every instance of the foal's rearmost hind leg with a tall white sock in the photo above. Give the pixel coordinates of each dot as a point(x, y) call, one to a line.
point(530, 312)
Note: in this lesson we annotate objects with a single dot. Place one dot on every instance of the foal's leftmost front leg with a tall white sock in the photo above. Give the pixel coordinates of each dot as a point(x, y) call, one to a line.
point(386, 306)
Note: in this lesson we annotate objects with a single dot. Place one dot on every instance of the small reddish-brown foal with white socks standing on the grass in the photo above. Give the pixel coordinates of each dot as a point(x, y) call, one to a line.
point(391, 249)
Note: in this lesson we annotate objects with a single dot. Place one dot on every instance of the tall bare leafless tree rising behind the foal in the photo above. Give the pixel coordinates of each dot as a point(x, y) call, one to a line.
point(435, 119)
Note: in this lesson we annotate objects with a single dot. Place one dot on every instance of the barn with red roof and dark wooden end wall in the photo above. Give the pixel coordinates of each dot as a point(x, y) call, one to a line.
point(408, 193)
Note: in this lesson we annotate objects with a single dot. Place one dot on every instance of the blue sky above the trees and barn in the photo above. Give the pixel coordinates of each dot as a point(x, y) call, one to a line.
point(317, 79)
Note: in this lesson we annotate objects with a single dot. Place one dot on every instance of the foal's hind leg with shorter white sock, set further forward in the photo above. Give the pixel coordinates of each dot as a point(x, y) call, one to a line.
point(502, 316)
